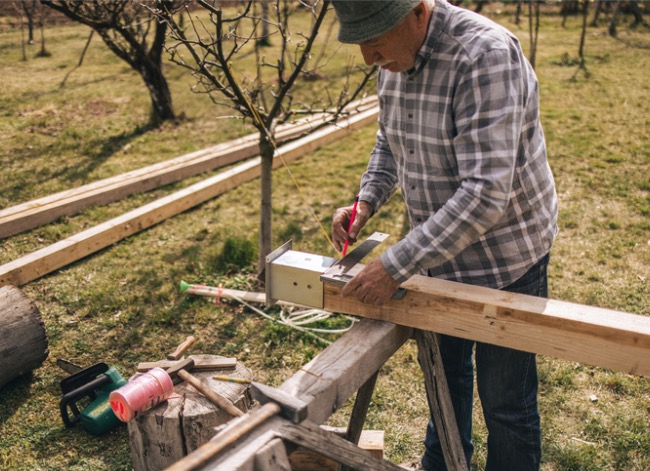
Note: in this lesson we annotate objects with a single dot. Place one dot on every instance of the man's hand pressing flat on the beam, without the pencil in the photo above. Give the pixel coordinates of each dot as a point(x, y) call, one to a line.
point(373, 285)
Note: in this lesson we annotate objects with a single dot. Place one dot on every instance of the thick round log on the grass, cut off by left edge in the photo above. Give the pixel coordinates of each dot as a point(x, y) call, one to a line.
point(23, 340)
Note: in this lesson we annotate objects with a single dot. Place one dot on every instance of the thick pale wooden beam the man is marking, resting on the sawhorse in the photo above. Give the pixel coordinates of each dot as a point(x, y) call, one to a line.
point(585, 334)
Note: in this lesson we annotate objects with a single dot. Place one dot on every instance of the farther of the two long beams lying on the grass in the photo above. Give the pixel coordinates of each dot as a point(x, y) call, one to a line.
point(34, 213)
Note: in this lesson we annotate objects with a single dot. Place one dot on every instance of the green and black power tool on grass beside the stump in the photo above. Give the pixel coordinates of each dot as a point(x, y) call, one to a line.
point(93, 384)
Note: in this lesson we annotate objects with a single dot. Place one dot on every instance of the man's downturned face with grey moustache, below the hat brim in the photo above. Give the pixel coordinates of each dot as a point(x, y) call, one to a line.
point(396, 49)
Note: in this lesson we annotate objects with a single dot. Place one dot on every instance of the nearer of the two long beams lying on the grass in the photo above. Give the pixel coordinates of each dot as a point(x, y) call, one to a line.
point(78, 246)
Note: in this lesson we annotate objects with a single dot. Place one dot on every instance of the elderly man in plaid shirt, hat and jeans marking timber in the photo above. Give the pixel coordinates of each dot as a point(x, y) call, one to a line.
point(459, 135)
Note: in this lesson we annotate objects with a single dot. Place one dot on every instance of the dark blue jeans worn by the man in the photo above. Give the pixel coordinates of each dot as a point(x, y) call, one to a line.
point(507, 386)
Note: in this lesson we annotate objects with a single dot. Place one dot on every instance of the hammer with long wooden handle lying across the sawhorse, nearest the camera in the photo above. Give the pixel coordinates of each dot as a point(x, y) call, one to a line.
point(274, 402)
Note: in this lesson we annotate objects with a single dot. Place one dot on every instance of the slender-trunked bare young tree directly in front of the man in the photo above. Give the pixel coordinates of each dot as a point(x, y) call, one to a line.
point(219, 47)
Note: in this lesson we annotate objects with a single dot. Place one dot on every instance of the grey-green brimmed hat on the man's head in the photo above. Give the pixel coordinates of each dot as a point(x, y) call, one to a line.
point(362, 20)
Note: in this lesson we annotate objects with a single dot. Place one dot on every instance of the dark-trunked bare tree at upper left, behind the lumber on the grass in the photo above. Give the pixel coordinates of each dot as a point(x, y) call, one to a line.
point(133, 34)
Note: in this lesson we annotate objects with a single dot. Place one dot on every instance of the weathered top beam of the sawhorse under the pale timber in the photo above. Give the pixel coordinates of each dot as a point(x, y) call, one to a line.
point(325, 384)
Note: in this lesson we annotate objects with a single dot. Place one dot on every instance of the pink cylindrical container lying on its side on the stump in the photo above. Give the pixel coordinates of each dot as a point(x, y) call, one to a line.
point(141, 394)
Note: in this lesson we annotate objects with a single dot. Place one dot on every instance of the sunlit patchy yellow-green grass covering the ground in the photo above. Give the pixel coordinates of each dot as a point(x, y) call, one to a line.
point(123, 306)
